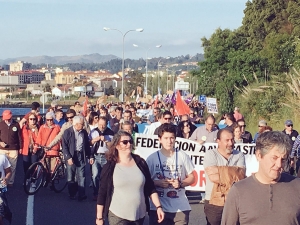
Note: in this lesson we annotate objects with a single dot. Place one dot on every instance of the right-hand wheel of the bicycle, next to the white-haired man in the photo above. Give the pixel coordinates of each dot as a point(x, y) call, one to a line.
point(59, 180)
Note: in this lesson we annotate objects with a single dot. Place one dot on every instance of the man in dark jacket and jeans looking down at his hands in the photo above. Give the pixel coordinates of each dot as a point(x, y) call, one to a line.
point(100, 139)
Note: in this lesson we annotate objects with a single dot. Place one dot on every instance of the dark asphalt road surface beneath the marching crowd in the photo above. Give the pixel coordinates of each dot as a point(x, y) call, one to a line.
point(52, 208)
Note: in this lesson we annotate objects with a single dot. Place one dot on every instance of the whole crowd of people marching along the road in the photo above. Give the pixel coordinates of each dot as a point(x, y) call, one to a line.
point(126, 186)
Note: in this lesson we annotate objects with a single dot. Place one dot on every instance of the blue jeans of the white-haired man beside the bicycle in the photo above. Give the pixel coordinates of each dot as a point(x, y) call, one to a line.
point(76, 175)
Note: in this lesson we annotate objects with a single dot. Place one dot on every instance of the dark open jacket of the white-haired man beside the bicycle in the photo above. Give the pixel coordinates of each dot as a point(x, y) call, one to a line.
point(69, 144)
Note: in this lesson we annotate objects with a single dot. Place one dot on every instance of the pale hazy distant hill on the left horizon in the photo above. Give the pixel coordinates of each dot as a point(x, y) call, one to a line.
point(61, 60)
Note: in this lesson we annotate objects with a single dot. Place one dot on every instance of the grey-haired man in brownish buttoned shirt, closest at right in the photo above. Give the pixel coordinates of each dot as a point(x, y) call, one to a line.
point(261, 198)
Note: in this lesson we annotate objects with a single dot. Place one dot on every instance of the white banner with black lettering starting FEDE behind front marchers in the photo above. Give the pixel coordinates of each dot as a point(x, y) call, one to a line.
point(147, 144)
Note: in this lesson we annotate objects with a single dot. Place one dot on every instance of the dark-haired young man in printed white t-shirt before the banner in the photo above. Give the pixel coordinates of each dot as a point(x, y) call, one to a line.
point(171, 170)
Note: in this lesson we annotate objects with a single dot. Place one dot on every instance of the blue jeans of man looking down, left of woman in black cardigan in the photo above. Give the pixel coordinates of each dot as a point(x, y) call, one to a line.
point(97, 166)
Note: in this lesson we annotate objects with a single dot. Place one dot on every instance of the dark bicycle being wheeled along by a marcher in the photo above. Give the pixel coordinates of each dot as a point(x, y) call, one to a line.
point(39, 174)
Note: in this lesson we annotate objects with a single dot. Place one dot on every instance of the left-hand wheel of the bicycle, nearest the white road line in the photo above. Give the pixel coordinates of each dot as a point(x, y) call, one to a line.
point(34, 178)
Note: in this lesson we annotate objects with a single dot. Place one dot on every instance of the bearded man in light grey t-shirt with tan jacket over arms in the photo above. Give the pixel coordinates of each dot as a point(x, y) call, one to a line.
point(223, 166)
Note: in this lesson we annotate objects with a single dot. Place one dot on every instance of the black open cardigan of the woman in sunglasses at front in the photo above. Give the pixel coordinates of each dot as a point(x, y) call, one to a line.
point(106, 188)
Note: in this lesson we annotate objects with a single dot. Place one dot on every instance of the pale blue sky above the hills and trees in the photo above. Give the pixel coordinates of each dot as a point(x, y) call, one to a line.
point(75, 27)
